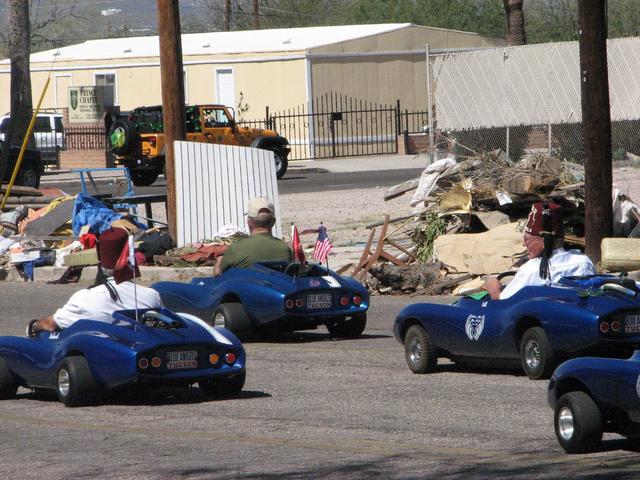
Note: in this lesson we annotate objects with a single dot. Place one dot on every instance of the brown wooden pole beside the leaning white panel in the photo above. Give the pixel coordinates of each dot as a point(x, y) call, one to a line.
point(172, 79)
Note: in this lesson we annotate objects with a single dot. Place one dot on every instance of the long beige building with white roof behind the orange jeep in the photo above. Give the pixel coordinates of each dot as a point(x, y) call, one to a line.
point(280, 68)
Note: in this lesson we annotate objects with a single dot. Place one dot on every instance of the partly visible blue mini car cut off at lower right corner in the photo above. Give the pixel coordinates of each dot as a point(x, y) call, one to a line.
point(594, 395)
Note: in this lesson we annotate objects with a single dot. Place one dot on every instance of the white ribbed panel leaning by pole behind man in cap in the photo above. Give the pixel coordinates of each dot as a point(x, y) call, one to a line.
point(214, 184)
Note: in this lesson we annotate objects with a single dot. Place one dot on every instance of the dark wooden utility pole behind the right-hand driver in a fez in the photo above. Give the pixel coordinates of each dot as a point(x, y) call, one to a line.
point(596, 124)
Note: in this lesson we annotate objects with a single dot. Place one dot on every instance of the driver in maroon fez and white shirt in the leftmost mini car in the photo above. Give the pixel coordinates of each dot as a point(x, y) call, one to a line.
point(113, 291)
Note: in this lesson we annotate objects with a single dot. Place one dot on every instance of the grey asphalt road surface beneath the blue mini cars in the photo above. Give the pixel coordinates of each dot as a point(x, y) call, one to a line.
point(312, 407)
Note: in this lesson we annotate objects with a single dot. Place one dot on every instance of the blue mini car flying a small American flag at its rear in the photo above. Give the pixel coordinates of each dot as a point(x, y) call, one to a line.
point(273, 296)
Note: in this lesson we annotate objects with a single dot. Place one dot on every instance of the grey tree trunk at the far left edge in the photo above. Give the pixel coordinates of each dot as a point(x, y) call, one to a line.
point(21, 103)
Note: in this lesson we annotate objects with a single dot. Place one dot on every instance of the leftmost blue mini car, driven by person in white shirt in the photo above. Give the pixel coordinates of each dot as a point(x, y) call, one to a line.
point(159, 348)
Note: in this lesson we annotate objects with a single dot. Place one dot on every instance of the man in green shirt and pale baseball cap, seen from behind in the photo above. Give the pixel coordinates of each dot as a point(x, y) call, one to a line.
point(261, 246)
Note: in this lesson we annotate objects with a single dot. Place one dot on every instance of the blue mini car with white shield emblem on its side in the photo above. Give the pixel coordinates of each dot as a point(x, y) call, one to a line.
point(538, 326)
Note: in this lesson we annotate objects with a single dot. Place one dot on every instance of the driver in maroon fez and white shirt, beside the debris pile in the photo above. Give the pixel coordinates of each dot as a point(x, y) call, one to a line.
point(548, 260)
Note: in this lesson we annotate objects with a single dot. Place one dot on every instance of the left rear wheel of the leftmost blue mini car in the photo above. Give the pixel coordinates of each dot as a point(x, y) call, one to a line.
point(75, 384)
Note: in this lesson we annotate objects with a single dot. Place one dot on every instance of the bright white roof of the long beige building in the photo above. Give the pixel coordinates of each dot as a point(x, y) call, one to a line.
point(237, 42)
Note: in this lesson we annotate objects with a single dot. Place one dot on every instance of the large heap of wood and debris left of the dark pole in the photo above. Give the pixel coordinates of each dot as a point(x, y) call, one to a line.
point(466, 219)
